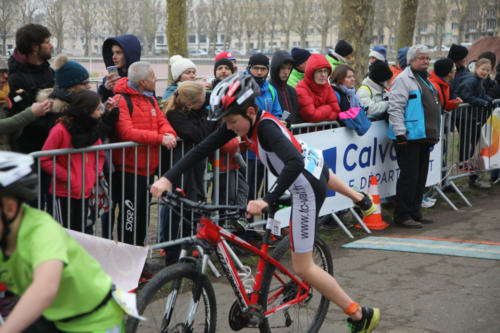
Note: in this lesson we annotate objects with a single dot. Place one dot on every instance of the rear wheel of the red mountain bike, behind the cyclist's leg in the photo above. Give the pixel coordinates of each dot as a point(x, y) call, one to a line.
point(277, 288)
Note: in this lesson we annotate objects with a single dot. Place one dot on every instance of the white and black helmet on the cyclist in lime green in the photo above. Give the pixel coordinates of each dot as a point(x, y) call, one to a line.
point(16, 178)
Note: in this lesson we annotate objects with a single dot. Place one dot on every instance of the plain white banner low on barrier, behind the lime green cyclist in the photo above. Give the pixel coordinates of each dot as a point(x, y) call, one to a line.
point(123, 262)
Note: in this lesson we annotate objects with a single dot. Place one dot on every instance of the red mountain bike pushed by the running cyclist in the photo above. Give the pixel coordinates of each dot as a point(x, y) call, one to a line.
point(180, 298)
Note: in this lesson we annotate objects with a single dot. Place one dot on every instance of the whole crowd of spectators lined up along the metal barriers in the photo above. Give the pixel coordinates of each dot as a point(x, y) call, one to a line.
point(46, 108)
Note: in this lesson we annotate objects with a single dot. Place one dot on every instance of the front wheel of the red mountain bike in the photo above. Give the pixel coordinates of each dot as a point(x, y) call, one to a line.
point(172, 289)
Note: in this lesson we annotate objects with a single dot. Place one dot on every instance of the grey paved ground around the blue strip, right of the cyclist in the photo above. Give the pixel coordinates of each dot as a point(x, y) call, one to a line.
point(417, 293)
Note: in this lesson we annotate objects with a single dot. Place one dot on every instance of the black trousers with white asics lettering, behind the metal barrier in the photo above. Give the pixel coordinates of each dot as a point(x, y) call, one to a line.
point(134, 210)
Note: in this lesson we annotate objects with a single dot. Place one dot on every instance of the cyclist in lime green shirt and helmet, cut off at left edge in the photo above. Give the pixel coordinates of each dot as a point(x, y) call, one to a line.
point(61, 287)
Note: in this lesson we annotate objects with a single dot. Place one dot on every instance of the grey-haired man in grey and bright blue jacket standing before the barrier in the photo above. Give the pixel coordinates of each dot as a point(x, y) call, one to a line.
point(414, 117)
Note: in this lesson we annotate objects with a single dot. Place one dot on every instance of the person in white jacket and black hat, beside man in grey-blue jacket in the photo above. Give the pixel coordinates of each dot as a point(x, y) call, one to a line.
point(373, 91)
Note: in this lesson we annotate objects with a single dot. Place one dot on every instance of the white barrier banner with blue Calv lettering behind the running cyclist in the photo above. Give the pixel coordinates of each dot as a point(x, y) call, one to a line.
point(355, 158)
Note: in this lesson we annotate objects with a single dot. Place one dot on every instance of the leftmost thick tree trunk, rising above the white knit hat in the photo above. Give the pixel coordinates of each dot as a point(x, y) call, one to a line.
point(176, 29)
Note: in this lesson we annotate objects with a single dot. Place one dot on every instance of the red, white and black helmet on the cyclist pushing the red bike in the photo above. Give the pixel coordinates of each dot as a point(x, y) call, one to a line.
point(232, 91)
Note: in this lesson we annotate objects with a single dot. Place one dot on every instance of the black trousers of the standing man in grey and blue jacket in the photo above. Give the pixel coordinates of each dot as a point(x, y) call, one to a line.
point(413, 168)
